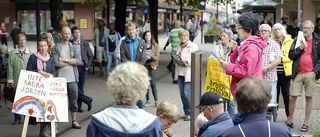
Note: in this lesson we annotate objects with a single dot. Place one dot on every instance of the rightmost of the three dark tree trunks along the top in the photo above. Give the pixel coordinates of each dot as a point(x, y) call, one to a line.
point(153, 16)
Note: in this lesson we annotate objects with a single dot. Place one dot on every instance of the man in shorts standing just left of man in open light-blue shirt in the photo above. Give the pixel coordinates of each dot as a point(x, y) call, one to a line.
point(98, 43)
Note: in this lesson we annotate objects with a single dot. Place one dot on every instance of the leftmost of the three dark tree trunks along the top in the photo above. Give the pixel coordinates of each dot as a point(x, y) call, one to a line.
point(56, 13)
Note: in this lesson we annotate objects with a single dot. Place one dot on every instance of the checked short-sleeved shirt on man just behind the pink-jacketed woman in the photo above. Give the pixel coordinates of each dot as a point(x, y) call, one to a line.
point(270, 53)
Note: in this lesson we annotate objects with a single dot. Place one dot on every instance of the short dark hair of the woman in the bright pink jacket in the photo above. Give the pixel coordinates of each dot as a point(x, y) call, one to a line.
point(249, 22)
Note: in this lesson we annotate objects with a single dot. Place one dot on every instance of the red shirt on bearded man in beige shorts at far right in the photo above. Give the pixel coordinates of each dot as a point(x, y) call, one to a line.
point(306, 64)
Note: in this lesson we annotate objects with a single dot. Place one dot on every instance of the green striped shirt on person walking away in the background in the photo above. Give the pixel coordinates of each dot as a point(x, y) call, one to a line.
point(174, 38)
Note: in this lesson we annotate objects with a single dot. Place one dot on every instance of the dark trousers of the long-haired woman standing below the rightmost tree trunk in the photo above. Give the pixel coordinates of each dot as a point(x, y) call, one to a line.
point(152, 75)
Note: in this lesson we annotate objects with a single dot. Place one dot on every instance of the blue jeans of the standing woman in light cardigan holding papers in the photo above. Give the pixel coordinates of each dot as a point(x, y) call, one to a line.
point(184, 88)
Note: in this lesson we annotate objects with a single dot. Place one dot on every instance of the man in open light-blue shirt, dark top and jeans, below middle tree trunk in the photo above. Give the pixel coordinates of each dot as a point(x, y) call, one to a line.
point(111, 39)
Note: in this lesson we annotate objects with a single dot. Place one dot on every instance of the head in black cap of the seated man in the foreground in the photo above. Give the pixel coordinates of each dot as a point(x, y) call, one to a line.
point(211, 104)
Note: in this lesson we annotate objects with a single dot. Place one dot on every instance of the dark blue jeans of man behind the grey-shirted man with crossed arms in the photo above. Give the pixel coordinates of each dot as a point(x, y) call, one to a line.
point(82, 79)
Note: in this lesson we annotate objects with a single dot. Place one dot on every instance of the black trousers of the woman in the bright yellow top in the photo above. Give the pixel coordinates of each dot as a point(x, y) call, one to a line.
point(283, 85)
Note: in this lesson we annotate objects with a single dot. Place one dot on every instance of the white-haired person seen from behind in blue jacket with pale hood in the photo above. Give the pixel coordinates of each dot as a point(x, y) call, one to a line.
point(128, 82)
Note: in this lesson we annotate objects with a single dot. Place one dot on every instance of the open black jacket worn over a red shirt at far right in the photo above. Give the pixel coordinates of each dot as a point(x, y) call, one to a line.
point(295, 54)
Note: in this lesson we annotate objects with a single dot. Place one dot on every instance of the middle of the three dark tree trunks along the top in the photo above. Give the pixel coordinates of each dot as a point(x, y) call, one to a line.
point(120, 14)
